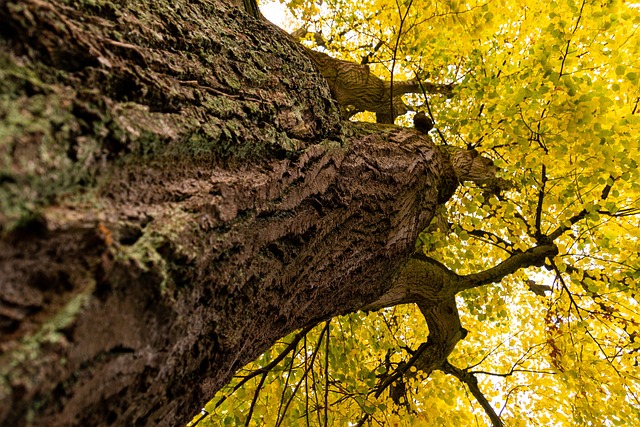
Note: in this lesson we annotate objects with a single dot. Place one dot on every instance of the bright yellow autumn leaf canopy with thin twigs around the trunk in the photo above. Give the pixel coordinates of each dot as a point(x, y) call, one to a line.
point(550, 91)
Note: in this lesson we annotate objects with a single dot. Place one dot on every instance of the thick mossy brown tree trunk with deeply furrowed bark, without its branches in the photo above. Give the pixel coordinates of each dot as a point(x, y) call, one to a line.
point(178, 192)
